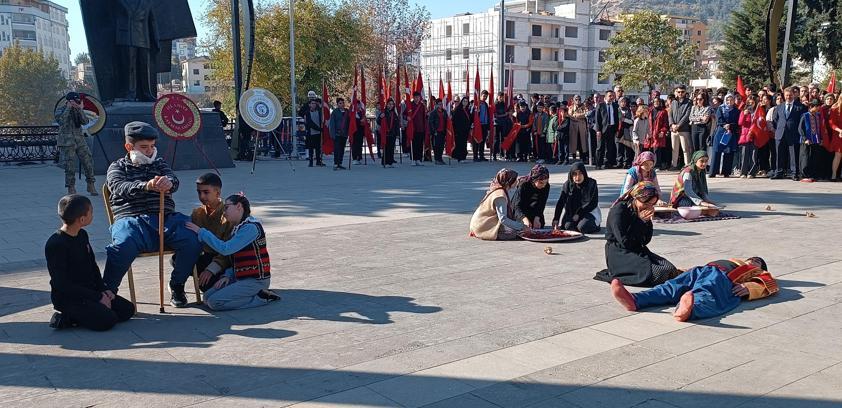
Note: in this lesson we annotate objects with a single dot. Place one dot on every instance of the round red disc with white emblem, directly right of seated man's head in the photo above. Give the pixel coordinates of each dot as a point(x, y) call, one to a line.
point(177, 116)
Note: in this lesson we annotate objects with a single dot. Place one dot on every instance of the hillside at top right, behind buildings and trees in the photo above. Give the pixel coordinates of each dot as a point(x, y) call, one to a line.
point(715, 13)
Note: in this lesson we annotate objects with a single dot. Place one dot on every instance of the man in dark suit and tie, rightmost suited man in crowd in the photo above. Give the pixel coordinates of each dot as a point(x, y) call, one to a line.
point(786, 119)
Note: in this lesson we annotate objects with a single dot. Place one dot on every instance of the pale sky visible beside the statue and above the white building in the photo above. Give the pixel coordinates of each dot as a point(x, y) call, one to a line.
point(437, 8)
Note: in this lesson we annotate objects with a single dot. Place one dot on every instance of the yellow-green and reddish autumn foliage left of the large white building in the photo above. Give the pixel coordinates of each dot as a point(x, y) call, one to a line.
point(330, 39)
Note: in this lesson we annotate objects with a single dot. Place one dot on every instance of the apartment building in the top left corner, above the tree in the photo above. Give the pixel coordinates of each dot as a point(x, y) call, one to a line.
point(37, 25)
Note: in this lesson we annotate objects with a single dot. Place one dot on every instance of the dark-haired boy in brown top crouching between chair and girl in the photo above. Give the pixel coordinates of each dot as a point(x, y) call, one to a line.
point(211, 216)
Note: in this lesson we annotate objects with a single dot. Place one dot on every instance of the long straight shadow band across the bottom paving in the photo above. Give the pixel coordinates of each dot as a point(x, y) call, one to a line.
point(169, 378)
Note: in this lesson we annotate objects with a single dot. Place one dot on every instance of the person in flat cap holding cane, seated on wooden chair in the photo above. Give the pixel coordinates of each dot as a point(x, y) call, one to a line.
point(135, 182)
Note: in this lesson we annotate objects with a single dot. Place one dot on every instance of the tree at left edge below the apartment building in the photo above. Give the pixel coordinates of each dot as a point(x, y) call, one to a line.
point(30, 85)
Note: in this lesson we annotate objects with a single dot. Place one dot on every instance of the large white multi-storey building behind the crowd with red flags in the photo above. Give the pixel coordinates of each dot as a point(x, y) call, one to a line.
point(551, 47)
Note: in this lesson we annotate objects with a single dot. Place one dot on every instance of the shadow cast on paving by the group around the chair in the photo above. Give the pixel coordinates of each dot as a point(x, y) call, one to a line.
point(202, 330)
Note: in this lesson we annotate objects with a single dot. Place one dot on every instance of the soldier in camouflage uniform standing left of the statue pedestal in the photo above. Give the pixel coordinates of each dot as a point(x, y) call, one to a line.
point(72, 145)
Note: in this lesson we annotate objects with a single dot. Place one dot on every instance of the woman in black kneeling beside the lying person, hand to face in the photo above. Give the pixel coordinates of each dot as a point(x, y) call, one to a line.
point(629, 230)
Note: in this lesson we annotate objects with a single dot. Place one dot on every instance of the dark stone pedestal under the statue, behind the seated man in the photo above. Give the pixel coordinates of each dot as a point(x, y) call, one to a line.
point(108, 145)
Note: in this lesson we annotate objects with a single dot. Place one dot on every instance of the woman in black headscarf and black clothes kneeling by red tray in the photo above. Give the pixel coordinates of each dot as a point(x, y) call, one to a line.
point(579, 199)
